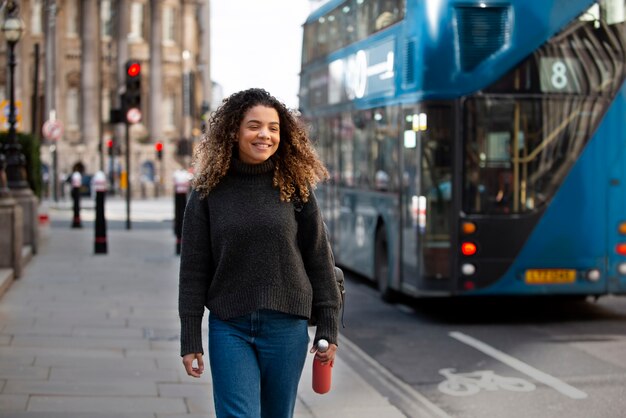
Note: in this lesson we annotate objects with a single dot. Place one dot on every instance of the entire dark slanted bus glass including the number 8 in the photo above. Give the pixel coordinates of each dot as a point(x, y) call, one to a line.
point(523, 134)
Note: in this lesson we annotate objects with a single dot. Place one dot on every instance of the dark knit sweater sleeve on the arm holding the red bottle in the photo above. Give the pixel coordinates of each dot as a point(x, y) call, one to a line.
point(318, 262)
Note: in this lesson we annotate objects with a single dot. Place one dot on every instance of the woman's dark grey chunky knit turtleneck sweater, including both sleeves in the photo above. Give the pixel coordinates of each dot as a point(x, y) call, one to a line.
point(240, 253)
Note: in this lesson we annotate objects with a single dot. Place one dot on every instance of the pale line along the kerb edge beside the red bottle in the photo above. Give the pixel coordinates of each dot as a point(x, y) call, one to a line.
point(400, 388)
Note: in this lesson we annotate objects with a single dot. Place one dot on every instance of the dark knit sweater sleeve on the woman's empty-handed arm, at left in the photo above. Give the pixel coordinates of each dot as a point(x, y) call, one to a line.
point(196, 271)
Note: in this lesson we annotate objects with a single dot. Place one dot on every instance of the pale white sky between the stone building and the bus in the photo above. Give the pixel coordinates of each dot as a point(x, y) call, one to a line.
point(257, 43)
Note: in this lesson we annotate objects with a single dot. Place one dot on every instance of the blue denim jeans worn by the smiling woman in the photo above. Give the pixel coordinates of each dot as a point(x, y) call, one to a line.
point(256, 363)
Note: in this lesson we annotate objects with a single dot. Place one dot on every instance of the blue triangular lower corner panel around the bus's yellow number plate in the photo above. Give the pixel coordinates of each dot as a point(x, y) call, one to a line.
point(578, 228)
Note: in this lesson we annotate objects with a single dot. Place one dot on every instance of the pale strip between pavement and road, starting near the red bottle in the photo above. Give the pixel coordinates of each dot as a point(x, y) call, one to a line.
point(416, 403)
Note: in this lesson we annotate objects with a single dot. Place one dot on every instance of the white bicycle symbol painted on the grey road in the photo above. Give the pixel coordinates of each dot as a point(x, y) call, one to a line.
point(467, 384)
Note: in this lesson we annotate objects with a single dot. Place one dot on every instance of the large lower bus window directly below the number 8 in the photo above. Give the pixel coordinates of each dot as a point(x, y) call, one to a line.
point(517, 152)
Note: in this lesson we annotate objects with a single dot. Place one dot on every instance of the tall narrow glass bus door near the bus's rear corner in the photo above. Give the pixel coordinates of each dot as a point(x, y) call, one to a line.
point(427, 197)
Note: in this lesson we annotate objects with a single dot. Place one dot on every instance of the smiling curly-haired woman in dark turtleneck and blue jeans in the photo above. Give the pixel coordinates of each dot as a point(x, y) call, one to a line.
point(260, 271)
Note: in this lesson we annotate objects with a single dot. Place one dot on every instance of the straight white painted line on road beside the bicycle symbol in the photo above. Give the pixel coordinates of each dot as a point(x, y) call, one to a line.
point(520, 366)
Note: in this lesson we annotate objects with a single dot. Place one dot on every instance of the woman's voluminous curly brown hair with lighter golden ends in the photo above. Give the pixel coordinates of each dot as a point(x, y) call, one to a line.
point(297, 166)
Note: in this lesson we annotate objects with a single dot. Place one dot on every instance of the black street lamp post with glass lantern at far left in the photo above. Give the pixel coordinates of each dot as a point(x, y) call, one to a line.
point(12, 28)
